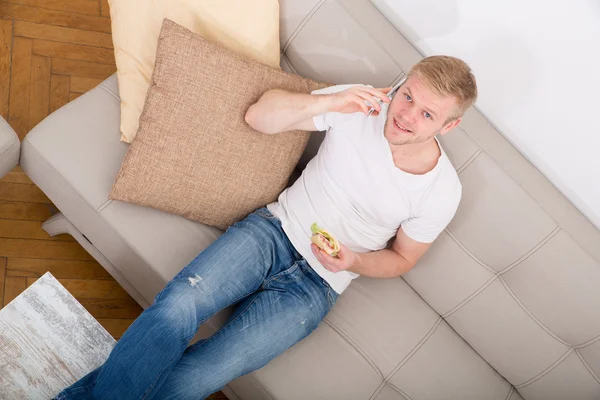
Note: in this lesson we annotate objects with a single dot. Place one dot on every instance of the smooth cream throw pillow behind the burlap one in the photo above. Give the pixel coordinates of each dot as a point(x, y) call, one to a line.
point(247, 27)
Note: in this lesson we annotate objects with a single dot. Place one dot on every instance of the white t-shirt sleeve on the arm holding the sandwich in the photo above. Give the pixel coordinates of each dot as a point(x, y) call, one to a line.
point(435, 216)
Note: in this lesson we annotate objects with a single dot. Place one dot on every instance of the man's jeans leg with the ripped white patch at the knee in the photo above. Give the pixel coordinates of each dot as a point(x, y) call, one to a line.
point(232, 268)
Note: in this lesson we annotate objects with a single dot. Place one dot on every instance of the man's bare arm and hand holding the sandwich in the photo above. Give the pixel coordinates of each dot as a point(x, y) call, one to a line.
point(386, 263)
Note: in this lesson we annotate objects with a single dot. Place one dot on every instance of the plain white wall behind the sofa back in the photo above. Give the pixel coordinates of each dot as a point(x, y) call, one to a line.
point(537, 64)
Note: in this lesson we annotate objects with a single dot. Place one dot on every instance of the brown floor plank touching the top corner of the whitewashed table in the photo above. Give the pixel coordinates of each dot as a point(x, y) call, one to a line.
point(61, 269)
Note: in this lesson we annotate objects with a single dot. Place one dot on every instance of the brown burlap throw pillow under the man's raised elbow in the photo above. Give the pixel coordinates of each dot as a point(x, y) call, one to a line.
point(194, 154)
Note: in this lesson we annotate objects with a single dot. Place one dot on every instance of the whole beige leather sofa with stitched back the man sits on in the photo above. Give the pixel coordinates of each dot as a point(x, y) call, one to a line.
point(504, 306)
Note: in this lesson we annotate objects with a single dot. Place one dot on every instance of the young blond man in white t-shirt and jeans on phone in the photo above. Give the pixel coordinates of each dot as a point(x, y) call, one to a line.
point(377, 178)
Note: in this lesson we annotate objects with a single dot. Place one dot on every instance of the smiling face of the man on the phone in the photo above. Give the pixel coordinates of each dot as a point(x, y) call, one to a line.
point(416, 114)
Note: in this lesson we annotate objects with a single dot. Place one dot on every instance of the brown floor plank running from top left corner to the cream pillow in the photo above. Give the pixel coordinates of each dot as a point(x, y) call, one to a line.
point(36, 15)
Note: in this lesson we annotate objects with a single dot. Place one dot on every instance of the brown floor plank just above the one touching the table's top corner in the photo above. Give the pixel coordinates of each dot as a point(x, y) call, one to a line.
point(29, 248)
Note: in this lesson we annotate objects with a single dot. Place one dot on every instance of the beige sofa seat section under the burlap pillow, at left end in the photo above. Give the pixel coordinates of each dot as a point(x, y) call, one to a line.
point(74, 156)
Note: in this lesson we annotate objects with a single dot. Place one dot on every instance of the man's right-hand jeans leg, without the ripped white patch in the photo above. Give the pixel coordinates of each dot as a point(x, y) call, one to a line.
point(288, 308)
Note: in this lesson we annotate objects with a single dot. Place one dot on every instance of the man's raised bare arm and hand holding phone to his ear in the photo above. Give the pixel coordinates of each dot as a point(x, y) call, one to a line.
point(281, 111)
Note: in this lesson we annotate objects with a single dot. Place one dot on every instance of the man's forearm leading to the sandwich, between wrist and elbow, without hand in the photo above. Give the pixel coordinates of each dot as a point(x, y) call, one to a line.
point(384, 263)
